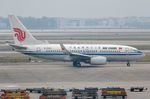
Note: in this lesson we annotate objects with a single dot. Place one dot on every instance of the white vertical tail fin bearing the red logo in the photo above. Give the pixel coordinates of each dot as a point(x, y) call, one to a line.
point(21, 35)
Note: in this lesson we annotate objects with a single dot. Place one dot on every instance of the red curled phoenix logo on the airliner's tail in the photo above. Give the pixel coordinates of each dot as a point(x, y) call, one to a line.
point(20, 34)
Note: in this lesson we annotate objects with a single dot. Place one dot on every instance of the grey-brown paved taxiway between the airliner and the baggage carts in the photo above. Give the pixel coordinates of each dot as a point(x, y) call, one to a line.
point(63, 75)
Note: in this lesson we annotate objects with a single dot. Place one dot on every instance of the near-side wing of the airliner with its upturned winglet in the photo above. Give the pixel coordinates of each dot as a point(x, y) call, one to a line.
point(75, 56)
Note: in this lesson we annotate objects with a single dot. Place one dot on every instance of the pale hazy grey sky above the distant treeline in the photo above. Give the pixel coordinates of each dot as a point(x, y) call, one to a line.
point(75, 8)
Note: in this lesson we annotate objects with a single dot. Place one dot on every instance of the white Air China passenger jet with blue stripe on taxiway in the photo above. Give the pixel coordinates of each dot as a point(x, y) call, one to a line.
point(93, 54)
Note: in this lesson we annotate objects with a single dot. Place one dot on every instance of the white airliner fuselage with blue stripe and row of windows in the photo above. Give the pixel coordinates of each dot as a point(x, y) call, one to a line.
point(111, 52)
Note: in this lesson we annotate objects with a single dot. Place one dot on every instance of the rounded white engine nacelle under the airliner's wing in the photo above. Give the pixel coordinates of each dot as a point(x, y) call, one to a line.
point(98, 60)
